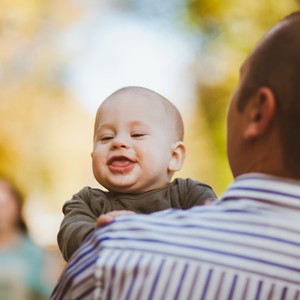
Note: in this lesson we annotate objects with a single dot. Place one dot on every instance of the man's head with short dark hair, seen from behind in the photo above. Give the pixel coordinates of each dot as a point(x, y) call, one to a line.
point(264, 114)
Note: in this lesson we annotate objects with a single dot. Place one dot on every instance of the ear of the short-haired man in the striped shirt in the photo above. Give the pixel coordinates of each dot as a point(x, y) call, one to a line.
point(260, 113)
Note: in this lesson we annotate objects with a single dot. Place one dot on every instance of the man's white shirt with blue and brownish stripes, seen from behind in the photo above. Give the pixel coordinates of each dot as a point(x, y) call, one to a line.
point(246, 246)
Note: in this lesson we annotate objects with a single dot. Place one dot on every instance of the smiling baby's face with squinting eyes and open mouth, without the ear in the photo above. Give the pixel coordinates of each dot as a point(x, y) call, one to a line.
point(132, 144)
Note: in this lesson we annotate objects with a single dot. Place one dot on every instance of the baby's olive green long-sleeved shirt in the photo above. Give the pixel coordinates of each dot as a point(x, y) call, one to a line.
point(81, 212)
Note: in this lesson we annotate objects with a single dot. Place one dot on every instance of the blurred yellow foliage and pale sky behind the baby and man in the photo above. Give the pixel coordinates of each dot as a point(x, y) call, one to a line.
point(60, 59)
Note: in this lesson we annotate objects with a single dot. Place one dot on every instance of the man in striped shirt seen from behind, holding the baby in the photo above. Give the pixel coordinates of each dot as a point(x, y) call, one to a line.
point(246, 246)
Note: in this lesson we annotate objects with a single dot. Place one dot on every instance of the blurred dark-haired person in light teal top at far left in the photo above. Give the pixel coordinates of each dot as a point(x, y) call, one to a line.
point(22, 262)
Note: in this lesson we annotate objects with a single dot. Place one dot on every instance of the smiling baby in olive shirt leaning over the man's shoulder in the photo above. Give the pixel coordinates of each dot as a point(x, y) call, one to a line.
point(138, 145)
